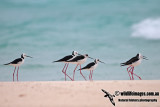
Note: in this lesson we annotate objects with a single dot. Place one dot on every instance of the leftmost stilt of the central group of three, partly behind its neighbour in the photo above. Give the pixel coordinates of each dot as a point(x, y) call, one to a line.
point(64, 60)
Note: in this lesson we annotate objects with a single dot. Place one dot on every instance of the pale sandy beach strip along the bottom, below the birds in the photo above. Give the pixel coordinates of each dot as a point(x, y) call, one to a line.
point(75, 94)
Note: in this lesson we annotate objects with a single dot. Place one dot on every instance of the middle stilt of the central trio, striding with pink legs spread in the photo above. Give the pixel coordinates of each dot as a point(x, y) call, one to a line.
point(78, 60)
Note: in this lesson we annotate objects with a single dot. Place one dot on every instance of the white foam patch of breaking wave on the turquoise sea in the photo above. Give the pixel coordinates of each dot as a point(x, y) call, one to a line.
point(148, 28)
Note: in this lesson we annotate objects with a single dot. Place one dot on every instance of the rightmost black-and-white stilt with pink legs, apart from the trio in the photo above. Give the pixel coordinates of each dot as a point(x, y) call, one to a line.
point(134, 61)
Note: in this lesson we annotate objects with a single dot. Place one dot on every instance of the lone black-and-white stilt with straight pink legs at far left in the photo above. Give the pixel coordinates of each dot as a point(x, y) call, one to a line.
point(18, 62)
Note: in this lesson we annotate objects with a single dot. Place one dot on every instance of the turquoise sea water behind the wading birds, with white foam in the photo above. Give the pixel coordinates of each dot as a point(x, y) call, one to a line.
point(111, 30)
